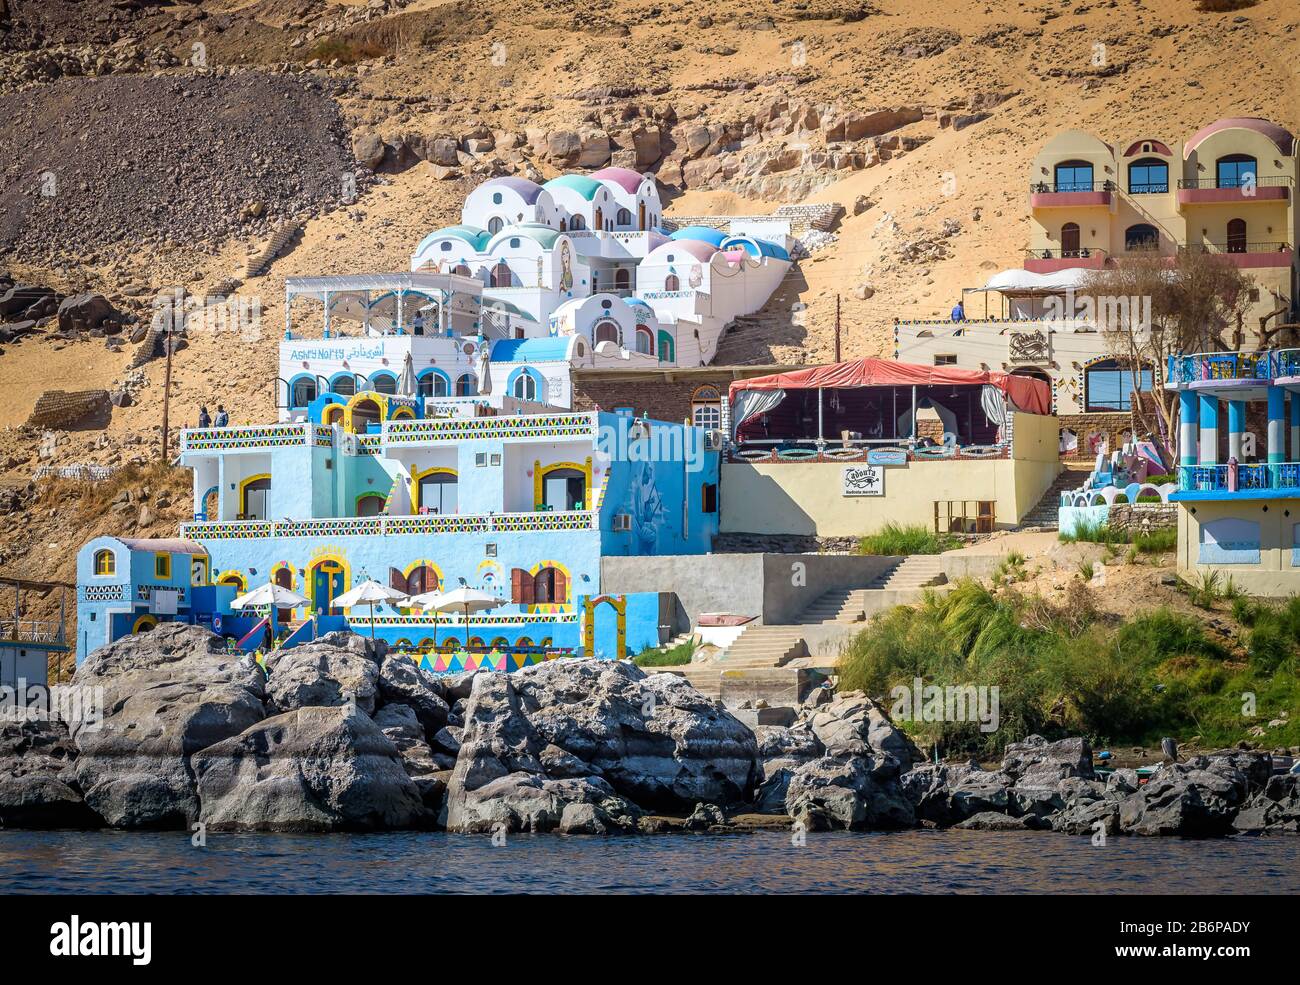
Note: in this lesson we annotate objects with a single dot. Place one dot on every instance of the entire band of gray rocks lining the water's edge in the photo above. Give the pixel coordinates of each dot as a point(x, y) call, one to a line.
point(345, 736)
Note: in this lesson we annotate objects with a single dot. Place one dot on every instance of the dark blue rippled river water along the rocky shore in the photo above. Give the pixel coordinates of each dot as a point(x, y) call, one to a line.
point(761, 862)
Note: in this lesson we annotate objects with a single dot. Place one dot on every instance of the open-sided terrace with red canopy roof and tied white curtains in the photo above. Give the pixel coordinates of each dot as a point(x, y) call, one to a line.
point(879, 398)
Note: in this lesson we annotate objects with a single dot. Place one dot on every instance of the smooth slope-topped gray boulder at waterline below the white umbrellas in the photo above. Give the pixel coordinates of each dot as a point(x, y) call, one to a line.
point(310, 770)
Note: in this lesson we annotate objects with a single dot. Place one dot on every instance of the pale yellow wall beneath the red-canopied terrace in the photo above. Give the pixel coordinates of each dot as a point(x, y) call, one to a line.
point(808, 498)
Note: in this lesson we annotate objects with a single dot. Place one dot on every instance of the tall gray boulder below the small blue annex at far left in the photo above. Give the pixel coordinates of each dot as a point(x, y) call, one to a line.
point(166, 696)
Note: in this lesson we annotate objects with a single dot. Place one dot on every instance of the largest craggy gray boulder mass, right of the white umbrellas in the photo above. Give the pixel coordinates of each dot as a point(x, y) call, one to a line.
point(591, 732)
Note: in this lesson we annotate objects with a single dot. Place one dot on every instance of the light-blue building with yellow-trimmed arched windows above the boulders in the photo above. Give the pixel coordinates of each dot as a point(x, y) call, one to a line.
point(523, 507)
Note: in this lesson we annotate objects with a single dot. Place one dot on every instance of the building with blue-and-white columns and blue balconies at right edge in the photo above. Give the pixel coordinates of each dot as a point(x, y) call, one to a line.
point(1240, 491)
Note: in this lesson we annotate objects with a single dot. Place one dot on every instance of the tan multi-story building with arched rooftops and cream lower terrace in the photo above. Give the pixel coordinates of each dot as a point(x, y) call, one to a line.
point(1228, 192)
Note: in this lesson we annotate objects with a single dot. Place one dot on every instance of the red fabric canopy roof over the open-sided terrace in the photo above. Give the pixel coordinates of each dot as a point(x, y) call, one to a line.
point(1025, 394)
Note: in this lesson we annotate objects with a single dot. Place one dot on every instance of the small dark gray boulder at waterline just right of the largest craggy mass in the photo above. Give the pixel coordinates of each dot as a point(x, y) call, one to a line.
point(860, 793)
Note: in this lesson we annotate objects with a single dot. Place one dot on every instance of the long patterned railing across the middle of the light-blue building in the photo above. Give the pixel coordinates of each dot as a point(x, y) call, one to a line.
point(385, 526)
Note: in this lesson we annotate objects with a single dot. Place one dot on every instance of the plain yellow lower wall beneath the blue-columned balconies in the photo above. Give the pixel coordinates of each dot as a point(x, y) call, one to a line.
point(1275, 576)
